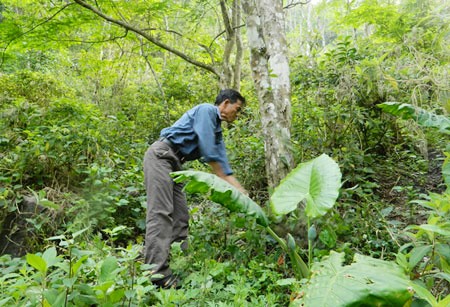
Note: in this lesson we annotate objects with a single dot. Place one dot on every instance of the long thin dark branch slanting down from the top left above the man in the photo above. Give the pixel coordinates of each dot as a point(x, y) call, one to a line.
point(147, 37)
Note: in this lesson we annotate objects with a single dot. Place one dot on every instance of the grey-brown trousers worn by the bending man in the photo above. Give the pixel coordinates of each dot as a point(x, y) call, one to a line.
point(167, 212)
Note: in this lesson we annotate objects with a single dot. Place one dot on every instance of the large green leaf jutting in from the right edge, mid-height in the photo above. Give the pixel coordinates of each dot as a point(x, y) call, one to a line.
point(421, 116)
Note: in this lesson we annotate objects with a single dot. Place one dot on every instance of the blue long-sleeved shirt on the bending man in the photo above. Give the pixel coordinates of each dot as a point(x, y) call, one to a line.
point(198, 133)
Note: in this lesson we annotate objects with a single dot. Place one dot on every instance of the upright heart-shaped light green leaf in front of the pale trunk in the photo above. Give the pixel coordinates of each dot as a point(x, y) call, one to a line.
point(317, 182)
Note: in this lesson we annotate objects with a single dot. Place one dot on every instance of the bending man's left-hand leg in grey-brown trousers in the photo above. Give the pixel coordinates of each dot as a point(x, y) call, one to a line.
point(159, 223)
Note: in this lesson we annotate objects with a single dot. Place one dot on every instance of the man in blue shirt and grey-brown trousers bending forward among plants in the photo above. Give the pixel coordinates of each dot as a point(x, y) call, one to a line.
point(197, 134)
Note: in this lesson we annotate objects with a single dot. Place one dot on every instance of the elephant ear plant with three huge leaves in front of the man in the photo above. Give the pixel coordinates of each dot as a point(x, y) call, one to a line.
point(315, 184)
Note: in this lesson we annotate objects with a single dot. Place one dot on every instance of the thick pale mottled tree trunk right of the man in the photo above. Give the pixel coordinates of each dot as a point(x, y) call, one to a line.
point(270, 70)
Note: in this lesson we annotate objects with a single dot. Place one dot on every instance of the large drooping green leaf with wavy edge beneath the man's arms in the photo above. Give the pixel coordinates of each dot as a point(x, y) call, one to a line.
point(221, 192)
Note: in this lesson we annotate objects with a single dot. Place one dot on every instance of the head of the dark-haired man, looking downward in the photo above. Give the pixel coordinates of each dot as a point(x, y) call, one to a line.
point(230, 102)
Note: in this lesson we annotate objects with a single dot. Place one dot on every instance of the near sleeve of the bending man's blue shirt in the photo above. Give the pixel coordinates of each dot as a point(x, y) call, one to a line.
point(210, 142)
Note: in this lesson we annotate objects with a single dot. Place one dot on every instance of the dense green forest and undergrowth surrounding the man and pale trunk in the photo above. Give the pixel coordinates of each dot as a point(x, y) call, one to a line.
point(82, 94)
